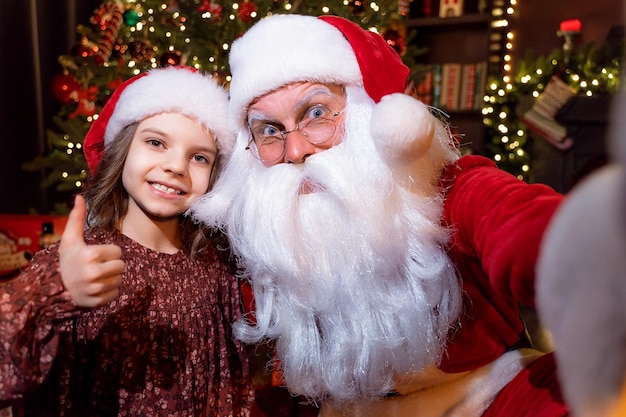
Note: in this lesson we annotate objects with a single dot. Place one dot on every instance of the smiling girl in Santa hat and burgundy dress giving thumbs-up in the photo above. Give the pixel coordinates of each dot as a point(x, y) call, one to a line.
point(133, 317)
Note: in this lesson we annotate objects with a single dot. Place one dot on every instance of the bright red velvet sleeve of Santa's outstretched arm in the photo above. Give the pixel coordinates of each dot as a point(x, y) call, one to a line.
point(500, 220)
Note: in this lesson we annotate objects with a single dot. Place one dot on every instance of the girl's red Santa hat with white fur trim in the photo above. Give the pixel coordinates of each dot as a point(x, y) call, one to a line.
point(172, 89)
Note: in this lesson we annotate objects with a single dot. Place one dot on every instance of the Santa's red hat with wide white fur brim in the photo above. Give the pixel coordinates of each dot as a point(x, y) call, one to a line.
point(282, 49)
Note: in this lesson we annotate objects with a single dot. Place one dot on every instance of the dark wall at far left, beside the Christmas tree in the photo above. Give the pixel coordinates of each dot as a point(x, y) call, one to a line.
point(33, 33)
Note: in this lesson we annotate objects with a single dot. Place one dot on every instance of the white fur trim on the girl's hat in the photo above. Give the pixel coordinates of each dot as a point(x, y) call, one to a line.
point(177, 90)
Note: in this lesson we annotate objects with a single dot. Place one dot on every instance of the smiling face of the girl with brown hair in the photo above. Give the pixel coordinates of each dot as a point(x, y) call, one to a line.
point(168, 166)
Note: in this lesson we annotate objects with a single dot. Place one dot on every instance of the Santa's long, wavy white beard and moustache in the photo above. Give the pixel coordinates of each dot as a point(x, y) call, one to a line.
point(351, 281)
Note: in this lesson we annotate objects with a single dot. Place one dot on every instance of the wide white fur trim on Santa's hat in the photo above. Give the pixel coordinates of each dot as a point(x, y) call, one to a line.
point(282, 49)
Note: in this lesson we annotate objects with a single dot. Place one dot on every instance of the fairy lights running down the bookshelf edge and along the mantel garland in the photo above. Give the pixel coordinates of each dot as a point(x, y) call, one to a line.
point(590, 70)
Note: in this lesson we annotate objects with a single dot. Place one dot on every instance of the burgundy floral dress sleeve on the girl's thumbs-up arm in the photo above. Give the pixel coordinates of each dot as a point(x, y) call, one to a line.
point(31, 306)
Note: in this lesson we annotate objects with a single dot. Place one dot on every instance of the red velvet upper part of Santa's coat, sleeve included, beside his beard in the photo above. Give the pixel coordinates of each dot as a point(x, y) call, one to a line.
point(498, 222)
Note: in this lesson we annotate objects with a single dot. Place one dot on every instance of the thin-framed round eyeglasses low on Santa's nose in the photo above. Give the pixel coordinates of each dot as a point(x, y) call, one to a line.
point(268, 143)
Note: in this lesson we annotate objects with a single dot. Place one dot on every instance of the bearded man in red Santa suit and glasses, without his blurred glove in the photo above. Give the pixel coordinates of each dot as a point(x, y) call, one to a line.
point(387, 269)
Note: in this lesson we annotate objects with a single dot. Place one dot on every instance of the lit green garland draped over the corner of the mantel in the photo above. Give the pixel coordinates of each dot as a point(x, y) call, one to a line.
point(588, 71)
